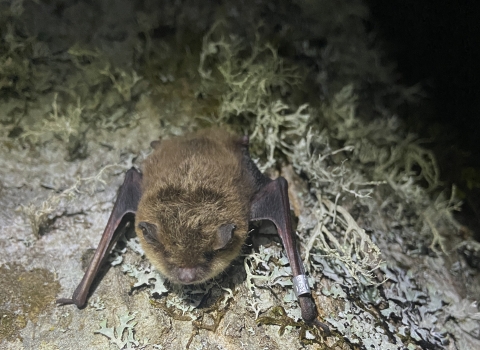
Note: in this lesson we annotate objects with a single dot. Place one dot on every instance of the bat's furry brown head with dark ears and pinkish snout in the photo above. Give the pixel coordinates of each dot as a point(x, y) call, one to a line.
point(192, 235)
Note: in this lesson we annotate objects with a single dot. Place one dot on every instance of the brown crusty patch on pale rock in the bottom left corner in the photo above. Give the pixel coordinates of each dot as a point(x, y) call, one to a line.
point(23, 296)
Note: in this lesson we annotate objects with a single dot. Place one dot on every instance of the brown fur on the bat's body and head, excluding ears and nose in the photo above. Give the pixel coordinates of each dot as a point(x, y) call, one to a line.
point(191, 186)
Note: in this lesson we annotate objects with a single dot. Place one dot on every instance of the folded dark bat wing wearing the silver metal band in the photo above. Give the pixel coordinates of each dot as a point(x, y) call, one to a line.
point(271, 203)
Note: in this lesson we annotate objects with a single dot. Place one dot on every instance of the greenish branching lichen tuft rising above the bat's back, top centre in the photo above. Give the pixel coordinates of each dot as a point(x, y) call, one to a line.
point(252, 89)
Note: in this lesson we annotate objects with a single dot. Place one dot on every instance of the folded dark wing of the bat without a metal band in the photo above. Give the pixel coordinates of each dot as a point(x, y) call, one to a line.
point(125, 206)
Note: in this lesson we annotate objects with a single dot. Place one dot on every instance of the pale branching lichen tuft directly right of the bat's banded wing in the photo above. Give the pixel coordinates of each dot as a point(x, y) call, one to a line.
point(336, 234)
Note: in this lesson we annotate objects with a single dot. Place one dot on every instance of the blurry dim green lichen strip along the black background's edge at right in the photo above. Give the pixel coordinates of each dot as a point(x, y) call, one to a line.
point(386, 155)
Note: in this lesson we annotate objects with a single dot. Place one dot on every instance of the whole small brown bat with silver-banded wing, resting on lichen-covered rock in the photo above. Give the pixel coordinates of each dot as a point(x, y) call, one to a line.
point(192, 209)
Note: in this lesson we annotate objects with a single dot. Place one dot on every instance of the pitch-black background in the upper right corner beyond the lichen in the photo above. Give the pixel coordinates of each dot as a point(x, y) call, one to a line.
point(437, 43)
